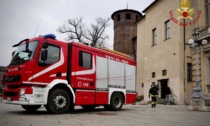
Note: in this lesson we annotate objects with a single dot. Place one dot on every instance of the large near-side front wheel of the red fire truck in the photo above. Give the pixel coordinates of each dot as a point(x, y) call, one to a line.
point(58, 101)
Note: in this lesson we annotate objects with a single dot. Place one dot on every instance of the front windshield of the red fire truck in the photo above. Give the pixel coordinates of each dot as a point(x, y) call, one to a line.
point(23, 54)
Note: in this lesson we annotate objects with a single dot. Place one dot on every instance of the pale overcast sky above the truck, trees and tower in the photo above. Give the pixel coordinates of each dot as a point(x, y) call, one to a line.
point(20, 19)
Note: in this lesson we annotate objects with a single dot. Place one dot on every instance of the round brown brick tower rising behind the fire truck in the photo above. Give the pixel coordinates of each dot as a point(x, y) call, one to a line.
point(125, 30)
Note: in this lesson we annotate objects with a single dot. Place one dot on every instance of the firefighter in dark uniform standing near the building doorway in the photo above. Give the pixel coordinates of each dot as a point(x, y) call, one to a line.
point(153, 92)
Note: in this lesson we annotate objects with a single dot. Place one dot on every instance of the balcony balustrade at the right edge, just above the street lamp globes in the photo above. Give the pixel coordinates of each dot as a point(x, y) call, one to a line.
point(204, 33)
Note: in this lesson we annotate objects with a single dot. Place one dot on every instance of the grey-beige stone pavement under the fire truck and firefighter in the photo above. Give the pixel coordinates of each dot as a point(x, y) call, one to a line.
point(130, 115)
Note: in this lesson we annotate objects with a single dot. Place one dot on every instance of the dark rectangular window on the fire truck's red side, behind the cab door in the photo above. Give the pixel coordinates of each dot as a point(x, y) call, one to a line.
point(85, 60)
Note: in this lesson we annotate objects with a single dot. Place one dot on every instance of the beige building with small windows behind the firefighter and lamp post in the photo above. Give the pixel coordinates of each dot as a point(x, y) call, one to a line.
point(163, 57)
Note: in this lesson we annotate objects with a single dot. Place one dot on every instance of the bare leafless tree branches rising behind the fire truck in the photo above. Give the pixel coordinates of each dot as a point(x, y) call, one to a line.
point(95, 35)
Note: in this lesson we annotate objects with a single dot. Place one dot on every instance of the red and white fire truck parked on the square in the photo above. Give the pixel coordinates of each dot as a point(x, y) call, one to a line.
point(61, 75)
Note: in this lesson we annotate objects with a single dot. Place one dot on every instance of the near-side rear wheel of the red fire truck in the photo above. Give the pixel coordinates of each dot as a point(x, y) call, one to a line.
point(116, 102)
